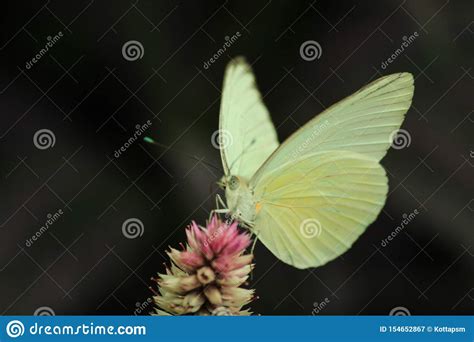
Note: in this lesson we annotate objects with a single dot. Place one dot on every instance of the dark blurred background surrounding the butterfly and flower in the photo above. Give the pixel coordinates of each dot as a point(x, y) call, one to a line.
point(90, 98)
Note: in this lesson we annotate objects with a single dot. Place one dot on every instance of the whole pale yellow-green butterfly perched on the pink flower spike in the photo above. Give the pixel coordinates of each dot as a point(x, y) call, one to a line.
point(309, 198)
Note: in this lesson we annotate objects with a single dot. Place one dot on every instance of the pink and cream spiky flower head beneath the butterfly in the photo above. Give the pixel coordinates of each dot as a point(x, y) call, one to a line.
point(205, 278)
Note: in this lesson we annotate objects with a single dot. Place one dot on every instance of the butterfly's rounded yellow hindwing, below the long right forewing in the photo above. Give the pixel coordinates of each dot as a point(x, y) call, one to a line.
point(313, 209)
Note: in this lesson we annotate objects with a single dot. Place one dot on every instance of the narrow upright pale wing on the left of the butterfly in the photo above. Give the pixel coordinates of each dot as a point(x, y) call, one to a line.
point(247, 134)
